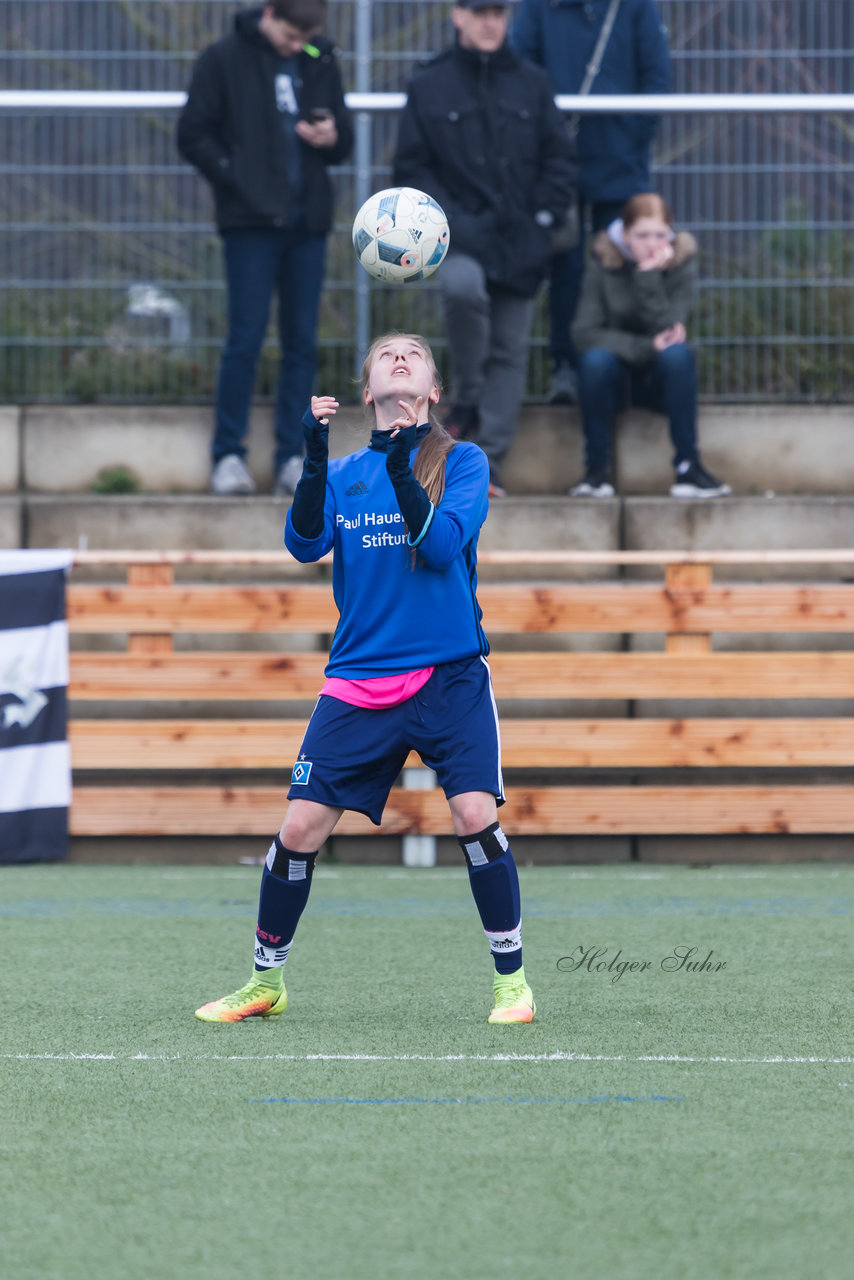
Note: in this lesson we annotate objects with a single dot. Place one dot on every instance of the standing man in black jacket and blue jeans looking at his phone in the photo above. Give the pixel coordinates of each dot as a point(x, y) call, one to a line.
point(266, 116)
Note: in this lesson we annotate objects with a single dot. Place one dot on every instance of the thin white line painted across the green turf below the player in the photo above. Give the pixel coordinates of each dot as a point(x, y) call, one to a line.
point(777, 1060)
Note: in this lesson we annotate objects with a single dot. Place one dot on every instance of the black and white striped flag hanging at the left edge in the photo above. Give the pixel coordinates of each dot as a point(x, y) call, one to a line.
point(35, 756)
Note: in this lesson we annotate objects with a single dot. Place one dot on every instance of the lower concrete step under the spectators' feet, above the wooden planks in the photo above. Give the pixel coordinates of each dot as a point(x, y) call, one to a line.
point(199, 523)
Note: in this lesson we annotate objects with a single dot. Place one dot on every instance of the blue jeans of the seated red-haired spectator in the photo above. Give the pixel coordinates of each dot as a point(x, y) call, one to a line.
point(666, 385)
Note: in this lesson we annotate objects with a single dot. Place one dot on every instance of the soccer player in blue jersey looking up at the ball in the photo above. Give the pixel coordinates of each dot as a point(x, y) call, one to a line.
point(407, 670)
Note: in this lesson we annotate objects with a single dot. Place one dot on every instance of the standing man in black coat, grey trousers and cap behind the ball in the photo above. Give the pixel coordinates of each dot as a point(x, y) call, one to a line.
point(481, 134)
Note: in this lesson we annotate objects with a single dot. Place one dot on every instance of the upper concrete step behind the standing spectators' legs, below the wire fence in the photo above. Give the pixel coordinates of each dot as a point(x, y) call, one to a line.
point(757, 449)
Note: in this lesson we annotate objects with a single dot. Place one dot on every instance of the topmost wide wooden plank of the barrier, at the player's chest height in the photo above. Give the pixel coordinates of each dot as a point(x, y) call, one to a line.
point(508, 609)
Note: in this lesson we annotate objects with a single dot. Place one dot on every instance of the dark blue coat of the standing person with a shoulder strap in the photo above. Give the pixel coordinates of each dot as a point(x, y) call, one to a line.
point(561, 35)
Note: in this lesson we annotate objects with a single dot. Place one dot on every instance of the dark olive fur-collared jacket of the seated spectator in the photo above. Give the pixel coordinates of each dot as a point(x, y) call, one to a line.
point(623, 309)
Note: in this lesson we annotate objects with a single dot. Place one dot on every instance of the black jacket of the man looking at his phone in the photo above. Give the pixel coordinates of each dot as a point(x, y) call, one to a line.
point(231, 129)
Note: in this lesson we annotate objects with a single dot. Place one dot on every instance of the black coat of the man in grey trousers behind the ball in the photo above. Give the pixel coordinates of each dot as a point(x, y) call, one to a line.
point(481, 134)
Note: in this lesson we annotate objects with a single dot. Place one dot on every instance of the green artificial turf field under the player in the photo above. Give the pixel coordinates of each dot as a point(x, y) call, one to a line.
point(666, 1124)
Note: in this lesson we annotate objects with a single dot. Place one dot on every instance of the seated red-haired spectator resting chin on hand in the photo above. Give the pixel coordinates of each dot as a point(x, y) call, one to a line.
point(632, 335)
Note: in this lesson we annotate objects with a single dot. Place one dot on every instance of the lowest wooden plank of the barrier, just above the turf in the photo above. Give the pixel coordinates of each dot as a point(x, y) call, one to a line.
point(558, 811)
